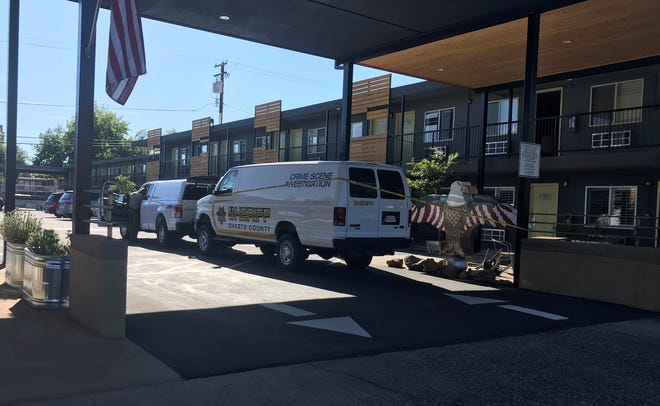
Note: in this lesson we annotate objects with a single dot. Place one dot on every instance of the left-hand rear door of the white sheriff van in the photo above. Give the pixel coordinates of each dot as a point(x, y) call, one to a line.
point(362, 213)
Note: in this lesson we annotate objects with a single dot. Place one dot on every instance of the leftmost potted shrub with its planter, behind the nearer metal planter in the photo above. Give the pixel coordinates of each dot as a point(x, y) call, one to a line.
point(15, 228)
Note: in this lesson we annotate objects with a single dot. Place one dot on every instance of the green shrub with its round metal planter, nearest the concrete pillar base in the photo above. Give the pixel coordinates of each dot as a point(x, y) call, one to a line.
point(47, 266)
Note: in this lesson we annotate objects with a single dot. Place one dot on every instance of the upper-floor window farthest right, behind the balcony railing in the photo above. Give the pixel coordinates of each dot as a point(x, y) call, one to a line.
point(616, 96)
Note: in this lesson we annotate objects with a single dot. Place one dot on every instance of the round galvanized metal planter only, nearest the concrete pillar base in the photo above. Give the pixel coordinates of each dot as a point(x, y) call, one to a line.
point(46, 280)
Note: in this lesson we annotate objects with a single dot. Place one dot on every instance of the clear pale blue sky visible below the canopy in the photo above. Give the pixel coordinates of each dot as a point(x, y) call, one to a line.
point(177, 88)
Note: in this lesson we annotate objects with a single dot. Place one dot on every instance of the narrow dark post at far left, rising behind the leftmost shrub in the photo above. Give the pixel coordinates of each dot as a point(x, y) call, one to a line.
point(12, 107)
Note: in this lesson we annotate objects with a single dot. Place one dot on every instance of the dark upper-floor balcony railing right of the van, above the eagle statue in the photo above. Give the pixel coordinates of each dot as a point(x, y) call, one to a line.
point(595, 131)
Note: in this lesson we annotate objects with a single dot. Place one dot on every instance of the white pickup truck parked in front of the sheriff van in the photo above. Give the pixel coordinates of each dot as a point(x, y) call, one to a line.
point(169, 207)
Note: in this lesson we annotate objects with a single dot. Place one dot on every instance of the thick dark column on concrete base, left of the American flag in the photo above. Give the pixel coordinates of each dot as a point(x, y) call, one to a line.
point(82, 173)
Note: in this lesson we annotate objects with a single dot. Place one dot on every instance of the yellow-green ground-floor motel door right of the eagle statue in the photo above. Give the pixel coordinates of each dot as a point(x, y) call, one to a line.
point(543, 205)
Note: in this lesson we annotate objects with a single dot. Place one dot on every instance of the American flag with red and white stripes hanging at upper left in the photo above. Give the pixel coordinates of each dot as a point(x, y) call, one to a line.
point(125, 50)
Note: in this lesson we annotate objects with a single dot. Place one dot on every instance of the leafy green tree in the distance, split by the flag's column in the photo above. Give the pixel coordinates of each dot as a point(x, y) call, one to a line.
point(56, 146)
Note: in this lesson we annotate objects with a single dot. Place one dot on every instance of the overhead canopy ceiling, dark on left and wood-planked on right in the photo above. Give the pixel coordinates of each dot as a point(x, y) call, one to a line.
point(468, 43)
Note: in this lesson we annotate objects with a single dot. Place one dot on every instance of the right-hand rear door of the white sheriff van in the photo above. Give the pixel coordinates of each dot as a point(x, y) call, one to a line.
point(393, 204)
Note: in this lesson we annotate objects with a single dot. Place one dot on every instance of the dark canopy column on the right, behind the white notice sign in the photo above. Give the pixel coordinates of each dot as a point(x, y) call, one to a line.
point(527, 133)
